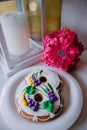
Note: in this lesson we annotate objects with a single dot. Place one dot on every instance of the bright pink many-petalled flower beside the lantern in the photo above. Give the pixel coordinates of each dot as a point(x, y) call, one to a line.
point(62, 49)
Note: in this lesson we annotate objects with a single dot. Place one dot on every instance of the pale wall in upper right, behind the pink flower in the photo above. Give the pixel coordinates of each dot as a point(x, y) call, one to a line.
point(74, 15)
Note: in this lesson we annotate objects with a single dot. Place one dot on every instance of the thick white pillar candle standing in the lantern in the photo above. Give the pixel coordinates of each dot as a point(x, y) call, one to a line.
point(15, 30)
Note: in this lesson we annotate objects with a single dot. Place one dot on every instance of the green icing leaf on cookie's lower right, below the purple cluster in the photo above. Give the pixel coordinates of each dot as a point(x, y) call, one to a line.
point(47, 105)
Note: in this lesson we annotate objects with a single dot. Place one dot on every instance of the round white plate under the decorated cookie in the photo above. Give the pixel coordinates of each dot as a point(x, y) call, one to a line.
point(73, 101)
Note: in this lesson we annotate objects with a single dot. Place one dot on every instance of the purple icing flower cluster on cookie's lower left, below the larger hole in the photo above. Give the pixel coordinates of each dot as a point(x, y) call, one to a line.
point(33, 104)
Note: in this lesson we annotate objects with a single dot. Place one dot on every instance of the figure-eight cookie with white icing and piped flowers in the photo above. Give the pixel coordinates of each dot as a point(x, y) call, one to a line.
point(39, 100)
